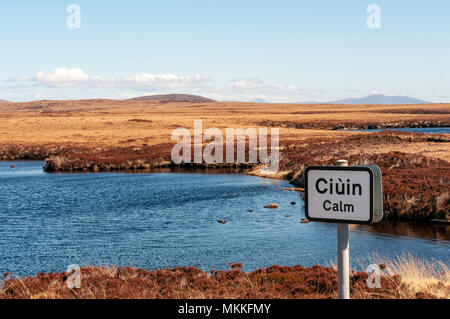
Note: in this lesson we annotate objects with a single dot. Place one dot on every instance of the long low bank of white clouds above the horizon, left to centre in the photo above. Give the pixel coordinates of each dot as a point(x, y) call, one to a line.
point(243, 89)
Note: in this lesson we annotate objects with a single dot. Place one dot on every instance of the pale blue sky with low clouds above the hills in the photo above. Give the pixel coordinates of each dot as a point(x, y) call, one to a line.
point(279, 51)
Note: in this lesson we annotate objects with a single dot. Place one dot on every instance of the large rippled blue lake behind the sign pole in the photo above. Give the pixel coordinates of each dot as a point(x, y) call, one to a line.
point(156, 220)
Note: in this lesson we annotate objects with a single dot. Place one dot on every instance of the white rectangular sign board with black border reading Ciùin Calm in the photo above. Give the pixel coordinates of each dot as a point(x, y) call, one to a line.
point(340, 194)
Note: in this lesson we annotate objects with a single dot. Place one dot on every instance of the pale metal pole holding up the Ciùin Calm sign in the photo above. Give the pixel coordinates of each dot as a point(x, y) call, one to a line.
point(343, 255)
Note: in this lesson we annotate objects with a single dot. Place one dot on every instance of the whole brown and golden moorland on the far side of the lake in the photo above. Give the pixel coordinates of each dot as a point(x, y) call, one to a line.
point(102, 135)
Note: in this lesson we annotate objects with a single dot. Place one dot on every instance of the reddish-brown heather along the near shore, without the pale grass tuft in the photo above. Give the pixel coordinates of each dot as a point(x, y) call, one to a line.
point(189, 282)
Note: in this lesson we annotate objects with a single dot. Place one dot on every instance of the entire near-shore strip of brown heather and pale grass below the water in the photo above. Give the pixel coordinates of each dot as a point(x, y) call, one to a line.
point(403, 277)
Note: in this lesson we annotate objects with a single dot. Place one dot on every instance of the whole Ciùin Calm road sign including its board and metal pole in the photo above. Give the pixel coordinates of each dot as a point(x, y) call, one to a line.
point(343, 195)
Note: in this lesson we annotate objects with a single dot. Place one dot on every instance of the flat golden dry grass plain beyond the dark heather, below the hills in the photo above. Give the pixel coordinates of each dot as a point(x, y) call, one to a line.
point(130, 123)
